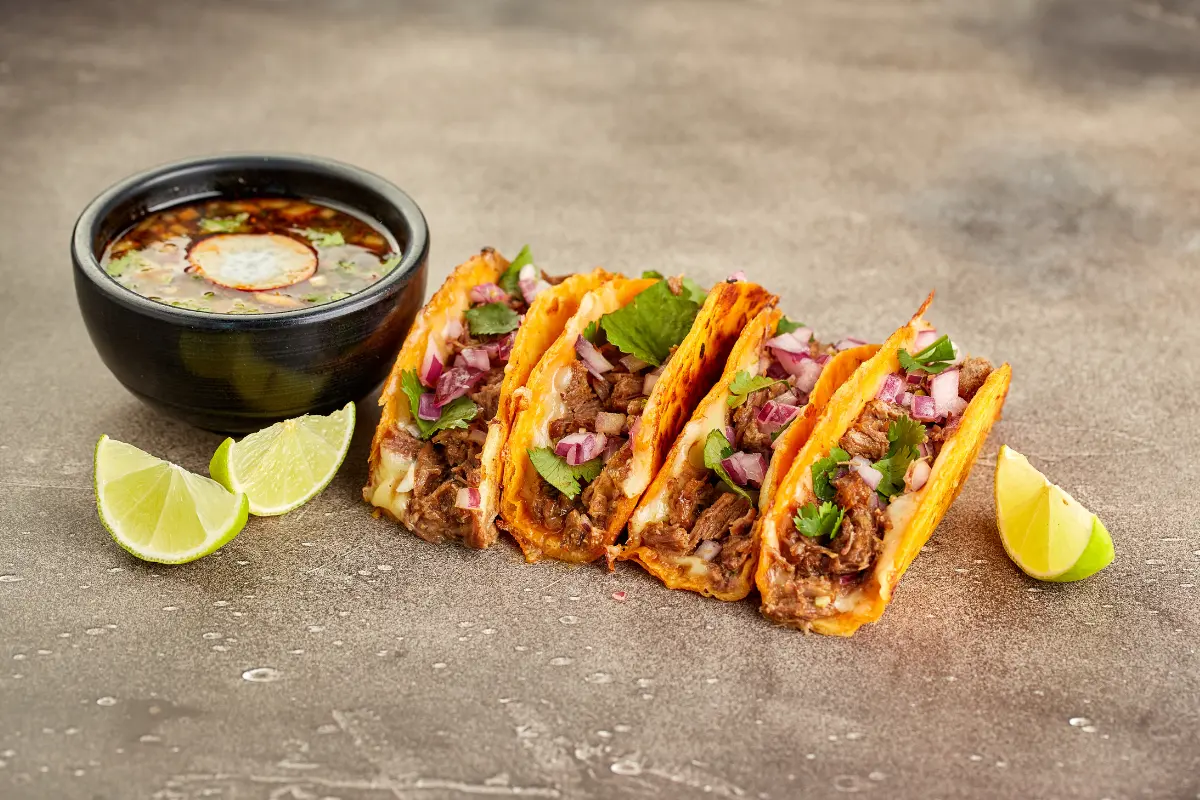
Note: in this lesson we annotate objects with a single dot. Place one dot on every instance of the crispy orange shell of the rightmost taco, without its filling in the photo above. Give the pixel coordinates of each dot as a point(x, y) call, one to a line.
point(915, 515)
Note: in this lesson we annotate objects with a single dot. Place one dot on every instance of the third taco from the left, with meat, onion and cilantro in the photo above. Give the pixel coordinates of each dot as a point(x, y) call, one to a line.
point(694, 527)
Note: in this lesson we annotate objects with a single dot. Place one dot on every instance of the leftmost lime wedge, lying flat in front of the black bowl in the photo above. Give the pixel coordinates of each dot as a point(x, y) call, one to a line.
point(159, 512)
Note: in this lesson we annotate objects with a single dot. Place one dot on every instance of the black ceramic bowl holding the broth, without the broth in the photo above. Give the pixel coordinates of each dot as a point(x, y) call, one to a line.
point(242, 372)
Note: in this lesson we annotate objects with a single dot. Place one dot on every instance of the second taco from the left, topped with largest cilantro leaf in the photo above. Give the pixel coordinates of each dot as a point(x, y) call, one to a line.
point(607, 401)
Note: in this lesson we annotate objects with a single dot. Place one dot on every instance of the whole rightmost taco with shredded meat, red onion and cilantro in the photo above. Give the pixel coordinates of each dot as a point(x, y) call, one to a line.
point(881, 467)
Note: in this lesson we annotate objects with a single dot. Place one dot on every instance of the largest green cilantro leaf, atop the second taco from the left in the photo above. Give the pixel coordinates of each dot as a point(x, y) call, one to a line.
point(652, 324)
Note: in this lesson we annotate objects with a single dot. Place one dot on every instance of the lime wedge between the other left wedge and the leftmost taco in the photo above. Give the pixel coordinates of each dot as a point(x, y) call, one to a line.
point(284, 467)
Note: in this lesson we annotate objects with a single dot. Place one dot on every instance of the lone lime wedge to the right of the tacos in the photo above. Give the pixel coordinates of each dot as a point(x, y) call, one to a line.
point(1046, 531)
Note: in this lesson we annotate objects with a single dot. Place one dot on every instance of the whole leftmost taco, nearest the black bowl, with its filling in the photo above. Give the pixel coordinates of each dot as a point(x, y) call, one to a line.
point(435, 462)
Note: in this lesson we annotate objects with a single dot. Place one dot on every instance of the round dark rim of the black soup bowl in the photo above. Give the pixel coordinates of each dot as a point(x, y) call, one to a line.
point(87, 225)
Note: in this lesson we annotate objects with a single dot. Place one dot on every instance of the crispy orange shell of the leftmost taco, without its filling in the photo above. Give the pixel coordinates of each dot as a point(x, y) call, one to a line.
point(389, 488)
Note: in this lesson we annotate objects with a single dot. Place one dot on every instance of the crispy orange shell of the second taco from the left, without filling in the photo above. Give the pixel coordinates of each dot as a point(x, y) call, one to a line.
point(688, 375)
